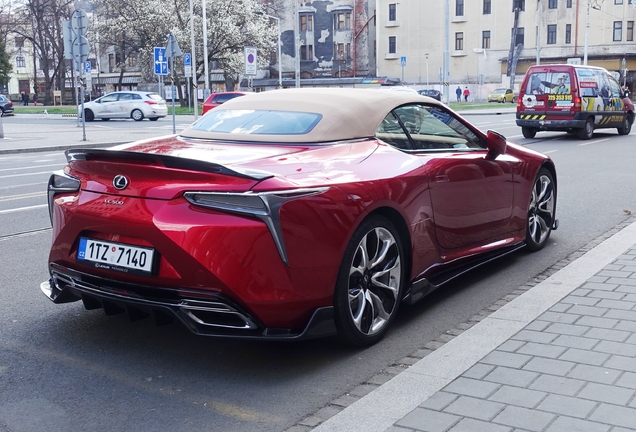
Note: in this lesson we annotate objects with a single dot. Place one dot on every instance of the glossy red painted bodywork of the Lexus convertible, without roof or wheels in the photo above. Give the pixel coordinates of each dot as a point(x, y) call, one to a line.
point(208, 250)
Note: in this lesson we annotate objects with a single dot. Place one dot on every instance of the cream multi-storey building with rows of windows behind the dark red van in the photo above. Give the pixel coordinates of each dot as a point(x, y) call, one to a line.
point(411, 36)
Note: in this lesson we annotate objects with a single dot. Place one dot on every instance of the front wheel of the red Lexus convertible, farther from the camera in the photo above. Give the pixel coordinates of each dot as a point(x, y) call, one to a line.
point(541, 210)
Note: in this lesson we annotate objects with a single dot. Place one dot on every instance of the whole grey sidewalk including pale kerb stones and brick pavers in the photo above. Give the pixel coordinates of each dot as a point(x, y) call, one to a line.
point(561, 357)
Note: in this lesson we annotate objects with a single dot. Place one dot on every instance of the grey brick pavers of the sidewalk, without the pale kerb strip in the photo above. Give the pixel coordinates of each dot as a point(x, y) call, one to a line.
point(571, 369)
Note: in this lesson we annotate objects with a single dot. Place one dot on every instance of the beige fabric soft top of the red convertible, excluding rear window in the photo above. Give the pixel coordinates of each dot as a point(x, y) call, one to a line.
point(346, 113)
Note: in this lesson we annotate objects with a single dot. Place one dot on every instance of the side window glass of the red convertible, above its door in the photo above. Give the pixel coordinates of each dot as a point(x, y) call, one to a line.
point(428, 127)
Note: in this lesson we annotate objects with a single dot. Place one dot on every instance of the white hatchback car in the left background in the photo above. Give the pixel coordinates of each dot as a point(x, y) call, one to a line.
point(125, 104)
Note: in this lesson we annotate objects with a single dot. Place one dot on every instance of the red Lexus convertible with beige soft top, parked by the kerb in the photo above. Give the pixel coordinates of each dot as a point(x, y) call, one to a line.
point(293, 214)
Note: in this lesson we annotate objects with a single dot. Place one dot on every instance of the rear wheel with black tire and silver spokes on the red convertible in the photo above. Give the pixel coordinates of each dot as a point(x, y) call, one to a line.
point(368, 293)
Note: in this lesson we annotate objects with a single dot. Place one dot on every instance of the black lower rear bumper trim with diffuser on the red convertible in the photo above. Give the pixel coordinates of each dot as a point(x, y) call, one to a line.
point(203, 313)
